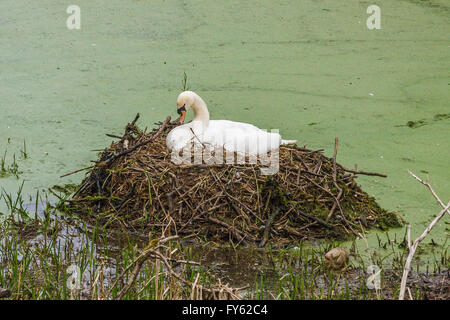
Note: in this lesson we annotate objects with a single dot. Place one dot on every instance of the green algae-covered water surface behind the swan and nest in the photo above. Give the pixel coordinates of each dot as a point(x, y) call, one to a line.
point(309, 68)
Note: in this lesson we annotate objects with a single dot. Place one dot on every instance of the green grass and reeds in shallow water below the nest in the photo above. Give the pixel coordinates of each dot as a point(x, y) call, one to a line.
point(42, 244)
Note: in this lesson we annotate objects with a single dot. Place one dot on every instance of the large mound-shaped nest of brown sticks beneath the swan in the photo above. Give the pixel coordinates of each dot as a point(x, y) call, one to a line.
point(134, 185)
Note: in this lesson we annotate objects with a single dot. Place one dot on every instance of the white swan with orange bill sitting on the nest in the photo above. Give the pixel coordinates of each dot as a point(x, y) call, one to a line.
point(232, 136)
